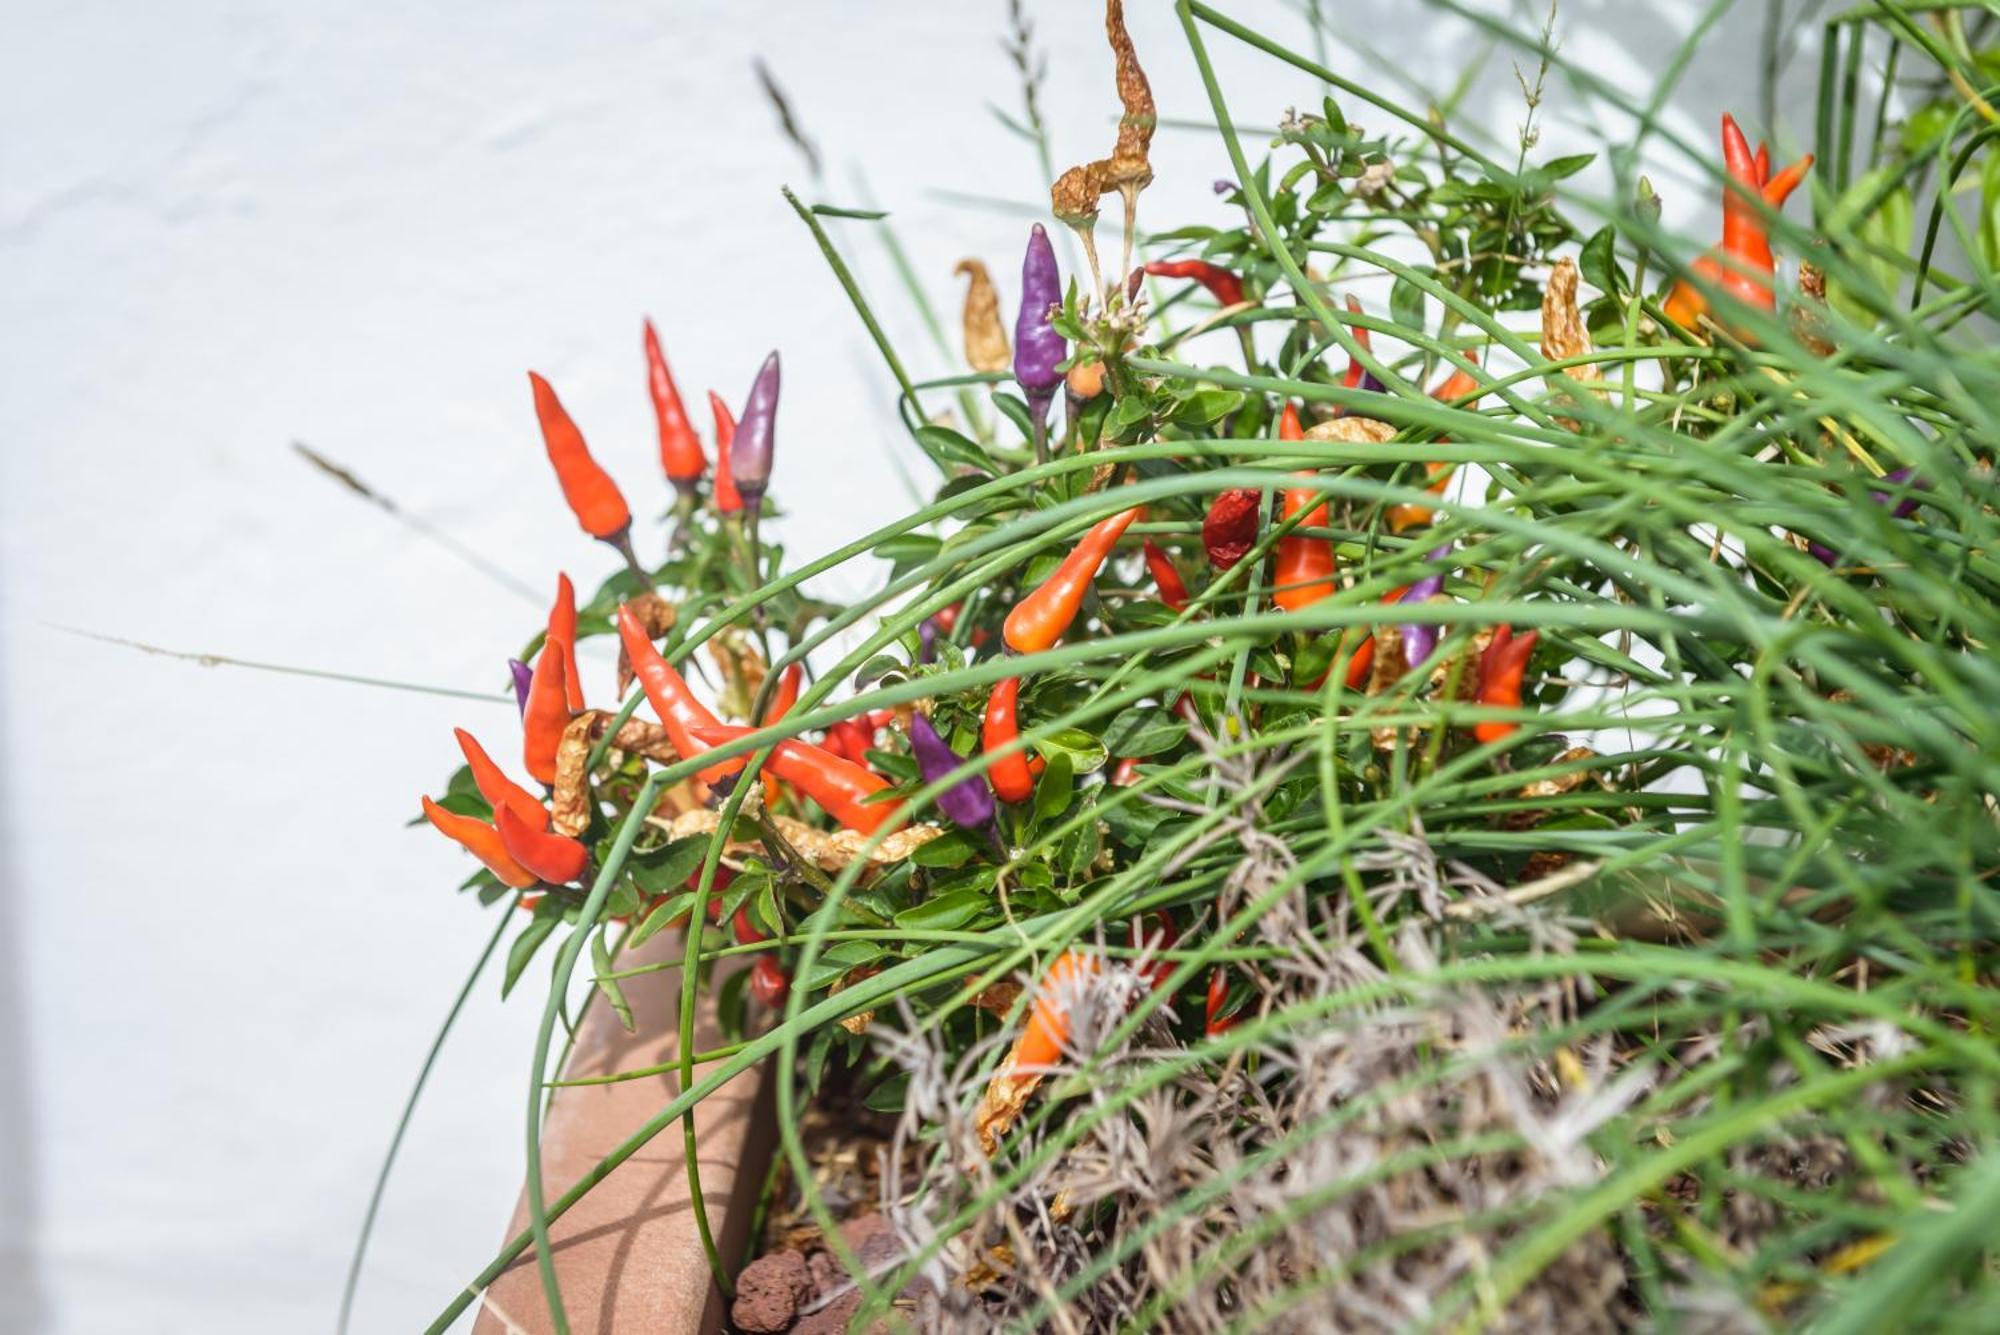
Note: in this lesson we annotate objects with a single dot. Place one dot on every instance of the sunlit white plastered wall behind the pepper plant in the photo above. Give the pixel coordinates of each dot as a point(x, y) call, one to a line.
point(227, 227)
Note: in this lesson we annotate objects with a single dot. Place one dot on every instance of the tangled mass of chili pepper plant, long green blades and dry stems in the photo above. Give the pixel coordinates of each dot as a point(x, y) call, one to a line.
point(1431, 758)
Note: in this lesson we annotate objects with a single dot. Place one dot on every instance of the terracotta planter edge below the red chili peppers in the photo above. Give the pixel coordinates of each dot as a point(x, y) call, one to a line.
point(629, 1254)
